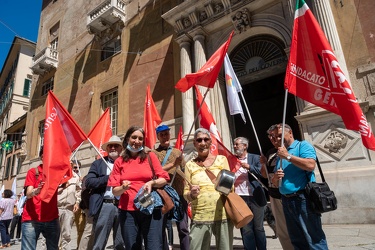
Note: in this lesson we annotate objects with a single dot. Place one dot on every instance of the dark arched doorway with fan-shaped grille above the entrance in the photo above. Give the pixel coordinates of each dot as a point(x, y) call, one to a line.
point(260, 63)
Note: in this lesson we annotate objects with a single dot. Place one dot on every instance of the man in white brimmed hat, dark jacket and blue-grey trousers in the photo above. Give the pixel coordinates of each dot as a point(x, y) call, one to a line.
point(103, 205)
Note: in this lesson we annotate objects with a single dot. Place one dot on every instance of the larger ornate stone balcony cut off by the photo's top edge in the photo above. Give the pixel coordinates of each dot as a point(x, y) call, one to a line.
point(105, 15)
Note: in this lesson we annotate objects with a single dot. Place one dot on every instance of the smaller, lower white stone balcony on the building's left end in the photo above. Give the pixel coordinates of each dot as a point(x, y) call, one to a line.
point(44, 61)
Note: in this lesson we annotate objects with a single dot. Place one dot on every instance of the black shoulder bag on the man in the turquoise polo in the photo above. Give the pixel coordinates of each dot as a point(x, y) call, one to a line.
point(320, 197)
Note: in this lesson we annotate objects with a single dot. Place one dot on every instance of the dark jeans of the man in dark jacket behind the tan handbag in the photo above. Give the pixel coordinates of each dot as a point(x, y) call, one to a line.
point(253, 234)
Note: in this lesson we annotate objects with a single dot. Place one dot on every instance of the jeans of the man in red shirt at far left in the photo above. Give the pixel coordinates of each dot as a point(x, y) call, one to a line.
point(32, 229)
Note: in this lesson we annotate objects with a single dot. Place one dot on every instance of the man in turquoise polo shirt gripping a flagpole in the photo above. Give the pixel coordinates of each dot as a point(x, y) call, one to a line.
point(295, 168)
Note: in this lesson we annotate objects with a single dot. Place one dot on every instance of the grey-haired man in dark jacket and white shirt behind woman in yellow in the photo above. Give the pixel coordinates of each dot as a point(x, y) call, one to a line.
point(251, 191)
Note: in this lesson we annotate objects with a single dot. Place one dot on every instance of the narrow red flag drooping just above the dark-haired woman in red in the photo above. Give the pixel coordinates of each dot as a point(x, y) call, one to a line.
point(151, 120)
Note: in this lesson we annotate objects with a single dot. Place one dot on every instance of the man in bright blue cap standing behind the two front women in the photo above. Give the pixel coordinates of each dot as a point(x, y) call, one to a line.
point(171, 158)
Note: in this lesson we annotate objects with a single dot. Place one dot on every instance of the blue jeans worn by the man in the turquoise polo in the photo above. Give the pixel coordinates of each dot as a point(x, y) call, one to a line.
point(304, 227)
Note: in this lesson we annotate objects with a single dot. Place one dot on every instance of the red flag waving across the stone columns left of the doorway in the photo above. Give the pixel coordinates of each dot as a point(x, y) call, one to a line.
point(207, 75)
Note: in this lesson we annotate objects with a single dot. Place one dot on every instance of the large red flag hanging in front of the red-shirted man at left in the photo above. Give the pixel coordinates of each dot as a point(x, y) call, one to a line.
point(62, 135)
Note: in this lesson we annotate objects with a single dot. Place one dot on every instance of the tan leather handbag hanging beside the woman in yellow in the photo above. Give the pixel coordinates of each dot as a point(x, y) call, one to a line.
point(236, 208)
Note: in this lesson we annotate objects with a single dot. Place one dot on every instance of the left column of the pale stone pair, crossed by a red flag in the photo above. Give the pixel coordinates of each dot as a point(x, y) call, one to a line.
point(187, 97)
